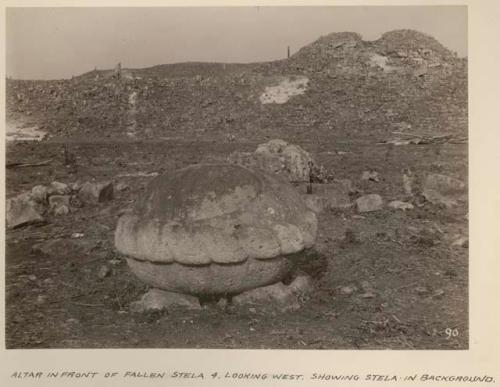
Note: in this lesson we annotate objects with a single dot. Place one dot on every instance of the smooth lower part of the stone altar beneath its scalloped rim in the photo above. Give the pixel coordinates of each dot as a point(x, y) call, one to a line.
point(211, 279)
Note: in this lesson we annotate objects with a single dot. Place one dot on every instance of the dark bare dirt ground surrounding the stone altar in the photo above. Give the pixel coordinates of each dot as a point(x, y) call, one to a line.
point(417, 279)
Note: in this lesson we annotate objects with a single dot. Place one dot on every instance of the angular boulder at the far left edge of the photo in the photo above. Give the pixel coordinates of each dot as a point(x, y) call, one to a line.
point(22, 210)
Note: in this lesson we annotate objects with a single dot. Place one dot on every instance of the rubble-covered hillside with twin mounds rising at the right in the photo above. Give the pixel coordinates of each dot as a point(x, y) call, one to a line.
point(338, 86)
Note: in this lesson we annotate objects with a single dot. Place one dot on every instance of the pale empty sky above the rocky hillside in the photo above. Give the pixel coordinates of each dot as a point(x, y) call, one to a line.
point(55, 43)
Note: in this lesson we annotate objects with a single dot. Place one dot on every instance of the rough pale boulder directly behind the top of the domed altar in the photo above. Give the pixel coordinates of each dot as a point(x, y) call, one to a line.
point(277, 157)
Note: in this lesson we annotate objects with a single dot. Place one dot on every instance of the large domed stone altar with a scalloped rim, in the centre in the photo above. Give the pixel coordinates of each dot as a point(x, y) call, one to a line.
point(215, 228)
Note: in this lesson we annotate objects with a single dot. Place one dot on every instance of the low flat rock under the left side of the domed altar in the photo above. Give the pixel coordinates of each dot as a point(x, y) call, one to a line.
point(156, 299)
